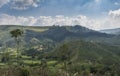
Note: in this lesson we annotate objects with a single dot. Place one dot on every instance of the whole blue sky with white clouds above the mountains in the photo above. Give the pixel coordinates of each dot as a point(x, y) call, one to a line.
point(93, 14)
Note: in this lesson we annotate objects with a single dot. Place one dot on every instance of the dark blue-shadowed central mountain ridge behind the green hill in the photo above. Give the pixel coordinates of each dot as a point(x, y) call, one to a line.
point(60, 33)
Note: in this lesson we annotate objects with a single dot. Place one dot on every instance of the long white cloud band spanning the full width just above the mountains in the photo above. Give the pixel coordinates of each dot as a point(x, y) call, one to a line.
point(111, 21)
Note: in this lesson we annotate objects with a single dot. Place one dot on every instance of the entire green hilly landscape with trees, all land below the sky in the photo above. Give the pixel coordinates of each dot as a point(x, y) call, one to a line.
point(58, 51)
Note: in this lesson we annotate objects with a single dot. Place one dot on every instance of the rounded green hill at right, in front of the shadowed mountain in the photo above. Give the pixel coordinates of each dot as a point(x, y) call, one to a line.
point(89, 52)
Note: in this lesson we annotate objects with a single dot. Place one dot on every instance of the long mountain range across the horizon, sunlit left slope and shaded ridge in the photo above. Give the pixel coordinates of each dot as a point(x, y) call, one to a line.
point(49, 36)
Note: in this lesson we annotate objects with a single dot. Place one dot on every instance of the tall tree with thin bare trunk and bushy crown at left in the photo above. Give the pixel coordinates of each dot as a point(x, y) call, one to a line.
point(17, 34)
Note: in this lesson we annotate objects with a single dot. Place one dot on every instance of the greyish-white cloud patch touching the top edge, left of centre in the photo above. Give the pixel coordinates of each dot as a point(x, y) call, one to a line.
point(24, 4)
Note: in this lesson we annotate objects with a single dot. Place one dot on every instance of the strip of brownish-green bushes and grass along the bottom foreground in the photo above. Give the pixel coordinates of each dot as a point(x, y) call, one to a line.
point(72, 70)
